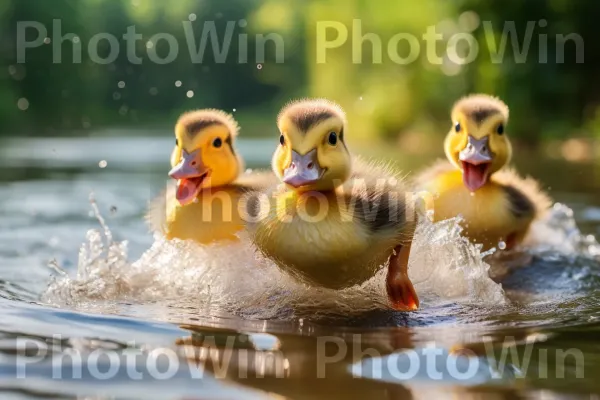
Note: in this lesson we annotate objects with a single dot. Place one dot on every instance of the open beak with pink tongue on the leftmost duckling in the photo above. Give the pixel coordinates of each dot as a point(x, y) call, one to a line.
point(190, 174)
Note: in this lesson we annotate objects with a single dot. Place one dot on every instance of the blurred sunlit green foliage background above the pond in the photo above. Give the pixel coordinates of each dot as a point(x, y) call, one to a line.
point(554, 106)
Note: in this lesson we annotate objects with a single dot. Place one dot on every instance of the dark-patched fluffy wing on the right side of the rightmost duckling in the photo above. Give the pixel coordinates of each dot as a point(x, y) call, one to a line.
point(525, 196)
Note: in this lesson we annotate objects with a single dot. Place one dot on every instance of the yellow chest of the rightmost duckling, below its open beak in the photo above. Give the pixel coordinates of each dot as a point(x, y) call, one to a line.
point(487, 213)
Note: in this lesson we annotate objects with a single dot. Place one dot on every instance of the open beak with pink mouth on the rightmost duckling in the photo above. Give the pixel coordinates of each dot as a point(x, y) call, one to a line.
point(476, 159)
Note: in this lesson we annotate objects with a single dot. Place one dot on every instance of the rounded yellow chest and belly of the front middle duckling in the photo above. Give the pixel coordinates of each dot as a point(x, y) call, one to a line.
point(313, 235)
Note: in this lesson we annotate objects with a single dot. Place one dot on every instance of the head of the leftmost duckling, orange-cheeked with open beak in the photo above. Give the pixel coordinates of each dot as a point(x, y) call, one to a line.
point(204, 155)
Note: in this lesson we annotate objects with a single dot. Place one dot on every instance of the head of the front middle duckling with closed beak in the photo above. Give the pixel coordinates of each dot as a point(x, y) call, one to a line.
point(312, 153)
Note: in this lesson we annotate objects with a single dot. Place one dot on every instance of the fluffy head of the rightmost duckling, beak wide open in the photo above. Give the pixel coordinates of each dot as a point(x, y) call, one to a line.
point(477, 142)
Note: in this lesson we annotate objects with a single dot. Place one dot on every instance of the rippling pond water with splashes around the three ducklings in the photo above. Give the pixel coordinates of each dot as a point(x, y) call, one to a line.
point(82, 304)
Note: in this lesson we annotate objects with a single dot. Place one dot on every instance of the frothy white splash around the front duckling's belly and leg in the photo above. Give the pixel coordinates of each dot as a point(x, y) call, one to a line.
point(233, 279)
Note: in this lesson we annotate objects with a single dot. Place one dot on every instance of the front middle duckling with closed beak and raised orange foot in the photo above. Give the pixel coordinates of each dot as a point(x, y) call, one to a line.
point(330, 225)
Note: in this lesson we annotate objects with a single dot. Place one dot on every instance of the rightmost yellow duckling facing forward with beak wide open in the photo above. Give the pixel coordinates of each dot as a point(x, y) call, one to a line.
point(497, 204)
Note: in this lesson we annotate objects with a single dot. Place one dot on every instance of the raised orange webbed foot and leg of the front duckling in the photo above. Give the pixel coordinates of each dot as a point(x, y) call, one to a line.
point(401, 292)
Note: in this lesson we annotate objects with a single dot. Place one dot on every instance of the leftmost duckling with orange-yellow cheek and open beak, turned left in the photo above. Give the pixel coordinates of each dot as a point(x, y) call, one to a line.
point(203, 205)
